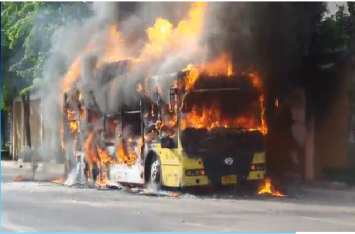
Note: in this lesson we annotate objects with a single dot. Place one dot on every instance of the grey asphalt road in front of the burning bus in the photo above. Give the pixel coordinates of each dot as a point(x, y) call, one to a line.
point(44, 207)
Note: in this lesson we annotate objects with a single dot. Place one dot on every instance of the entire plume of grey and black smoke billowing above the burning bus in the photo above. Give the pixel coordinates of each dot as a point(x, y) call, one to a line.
point(271, 37)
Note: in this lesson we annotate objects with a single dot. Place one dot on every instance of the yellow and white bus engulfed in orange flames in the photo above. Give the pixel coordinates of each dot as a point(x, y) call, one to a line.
point(190, 128)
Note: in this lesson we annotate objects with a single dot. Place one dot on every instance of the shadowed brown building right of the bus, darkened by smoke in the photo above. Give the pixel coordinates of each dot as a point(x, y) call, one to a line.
point(312, 134)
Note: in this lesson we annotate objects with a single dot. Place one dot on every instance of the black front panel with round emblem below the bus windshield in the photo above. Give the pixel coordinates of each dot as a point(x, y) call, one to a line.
point(216, 146)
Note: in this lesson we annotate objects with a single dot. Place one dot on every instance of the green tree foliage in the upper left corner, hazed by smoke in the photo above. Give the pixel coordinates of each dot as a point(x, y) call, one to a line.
point(27, 29)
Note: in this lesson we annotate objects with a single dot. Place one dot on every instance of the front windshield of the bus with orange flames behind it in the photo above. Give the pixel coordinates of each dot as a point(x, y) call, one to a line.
point(221, 108)
